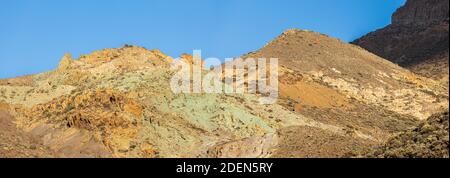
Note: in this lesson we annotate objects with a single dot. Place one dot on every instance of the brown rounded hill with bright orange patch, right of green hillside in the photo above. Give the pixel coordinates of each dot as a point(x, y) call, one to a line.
point(342, 84)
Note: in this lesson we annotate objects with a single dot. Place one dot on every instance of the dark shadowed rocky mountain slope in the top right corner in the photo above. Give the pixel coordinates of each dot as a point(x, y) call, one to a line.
point(417, 38)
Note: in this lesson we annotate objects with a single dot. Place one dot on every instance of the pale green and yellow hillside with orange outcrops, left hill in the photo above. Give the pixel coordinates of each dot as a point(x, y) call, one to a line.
point(118, 103)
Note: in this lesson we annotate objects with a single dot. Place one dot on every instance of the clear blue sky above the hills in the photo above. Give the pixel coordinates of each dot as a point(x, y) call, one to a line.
point(34, 34)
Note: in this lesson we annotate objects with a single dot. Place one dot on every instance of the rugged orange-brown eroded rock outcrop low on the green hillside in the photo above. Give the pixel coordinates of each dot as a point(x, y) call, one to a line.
point(104, 120)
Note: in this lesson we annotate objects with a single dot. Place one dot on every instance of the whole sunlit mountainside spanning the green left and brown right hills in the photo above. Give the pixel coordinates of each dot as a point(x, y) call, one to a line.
point(335, 98)
